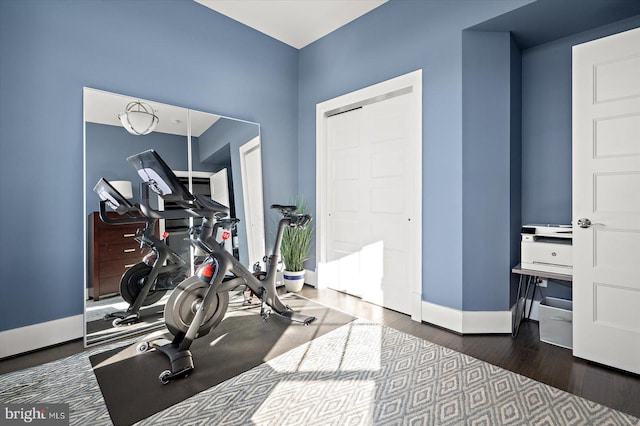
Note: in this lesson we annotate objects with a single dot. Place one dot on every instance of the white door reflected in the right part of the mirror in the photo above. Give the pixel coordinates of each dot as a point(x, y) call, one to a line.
point(251, 169)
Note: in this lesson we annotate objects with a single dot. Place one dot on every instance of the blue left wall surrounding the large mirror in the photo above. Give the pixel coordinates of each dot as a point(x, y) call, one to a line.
point(189, 56)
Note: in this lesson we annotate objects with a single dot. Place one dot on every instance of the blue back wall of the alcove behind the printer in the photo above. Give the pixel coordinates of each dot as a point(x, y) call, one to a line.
point(546, 130)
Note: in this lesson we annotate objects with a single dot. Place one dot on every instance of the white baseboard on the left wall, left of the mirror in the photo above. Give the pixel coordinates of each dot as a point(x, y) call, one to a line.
point(36, 336)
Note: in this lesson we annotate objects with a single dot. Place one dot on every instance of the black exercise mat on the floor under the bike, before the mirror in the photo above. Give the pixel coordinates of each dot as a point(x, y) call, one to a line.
point(129, 381)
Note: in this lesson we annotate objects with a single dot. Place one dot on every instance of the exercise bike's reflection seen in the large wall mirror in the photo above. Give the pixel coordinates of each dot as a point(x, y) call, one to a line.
point(160, 270)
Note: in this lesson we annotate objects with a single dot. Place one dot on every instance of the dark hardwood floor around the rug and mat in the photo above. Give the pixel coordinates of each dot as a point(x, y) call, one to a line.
point(525, 355)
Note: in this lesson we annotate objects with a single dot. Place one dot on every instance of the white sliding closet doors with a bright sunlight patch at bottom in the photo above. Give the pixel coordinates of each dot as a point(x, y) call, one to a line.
point(370, 185)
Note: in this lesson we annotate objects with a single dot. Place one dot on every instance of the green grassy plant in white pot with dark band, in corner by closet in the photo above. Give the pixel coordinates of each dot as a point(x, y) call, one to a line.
point(295, 251)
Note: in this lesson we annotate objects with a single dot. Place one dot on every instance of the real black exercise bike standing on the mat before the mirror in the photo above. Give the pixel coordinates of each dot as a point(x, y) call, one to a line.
point(199, 303)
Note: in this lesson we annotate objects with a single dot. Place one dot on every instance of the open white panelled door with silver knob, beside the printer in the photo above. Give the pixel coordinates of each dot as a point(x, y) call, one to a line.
point(606, 190)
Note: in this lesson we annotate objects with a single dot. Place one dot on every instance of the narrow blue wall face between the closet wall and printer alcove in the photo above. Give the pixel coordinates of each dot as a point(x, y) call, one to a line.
point(486, 169)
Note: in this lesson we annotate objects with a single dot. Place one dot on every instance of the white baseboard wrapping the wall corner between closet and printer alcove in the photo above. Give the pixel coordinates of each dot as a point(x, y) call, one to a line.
point(467, 322)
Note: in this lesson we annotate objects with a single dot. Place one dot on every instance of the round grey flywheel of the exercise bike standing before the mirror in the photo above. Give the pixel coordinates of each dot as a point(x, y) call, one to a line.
point(185, 300)
